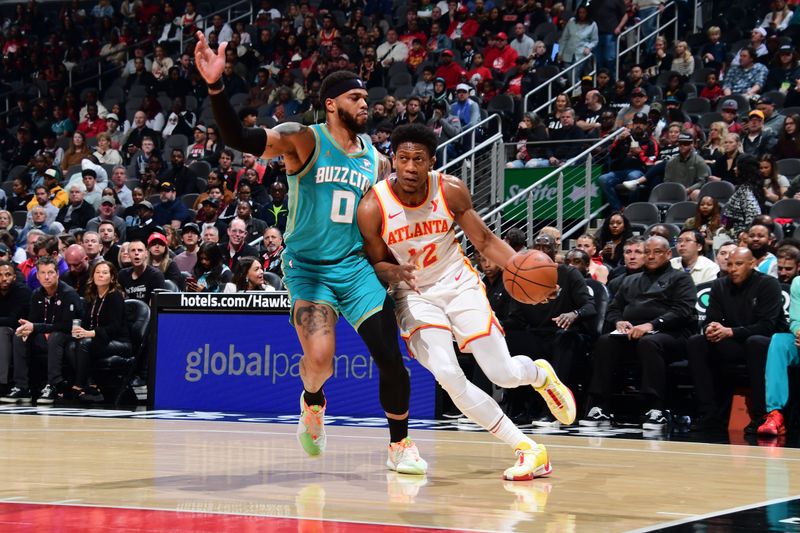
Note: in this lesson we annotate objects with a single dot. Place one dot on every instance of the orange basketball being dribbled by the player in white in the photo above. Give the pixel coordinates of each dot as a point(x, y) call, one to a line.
point(530, 276)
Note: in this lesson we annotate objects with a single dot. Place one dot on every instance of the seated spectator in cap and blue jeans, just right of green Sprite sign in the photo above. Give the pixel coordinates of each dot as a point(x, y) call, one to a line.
point(631, 154)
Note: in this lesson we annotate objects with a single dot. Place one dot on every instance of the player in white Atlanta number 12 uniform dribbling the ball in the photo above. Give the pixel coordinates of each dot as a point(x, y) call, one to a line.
point(408, 226)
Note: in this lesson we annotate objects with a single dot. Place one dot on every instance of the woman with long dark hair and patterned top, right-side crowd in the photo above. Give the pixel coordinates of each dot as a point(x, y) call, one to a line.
point(747, 201)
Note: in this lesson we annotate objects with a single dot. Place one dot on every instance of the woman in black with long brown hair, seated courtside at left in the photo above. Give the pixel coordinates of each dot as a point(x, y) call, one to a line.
point(103, 329)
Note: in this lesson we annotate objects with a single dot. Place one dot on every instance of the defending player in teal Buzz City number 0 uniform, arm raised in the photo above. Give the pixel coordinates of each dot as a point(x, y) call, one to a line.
point(329, 168)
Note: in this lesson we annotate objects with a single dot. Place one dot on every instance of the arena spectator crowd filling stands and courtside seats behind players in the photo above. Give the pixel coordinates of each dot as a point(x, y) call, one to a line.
point(116, 183)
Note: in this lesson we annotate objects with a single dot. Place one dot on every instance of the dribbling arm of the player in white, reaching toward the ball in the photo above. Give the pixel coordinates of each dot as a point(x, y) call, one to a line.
point(485, 241)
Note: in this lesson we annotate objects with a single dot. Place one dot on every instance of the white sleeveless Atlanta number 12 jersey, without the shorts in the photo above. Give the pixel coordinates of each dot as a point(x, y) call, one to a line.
point(422, 234)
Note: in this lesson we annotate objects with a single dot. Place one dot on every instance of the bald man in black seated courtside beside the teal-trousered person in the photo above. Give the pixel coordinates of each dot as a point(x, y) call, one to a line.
point(745, 308)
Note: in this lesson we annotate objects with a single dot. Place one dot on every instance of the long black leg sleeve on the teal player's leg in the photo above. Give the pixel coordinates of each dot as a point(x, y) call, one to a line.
point(379, 333)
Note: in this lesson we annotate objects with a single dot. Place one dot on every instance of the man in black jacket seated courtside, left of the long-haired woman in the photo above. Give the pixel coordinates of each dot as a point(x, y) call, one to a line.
point(46, 331)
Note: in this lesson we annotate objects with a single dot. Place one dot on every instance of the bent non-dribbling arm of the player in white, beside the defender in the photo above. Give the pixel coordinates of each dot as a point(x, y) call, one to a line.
point(370, 222)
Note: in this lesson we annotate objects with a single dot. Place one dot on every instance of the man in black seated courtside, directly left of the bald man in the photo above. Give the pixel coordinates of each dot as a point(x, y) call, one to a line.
point(652, 313)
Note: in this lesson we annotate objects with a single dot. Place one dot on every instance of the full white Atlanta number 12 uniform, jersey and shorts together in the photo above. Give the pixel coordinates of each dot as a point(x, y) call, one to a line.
point(451, 295)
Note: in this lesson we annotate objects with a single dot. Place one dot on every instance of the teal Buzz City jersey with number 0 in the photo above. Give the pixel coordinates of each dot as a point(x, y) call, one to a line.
point(323, 198)
